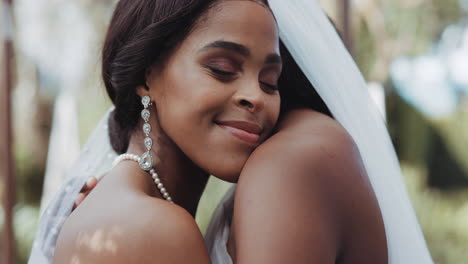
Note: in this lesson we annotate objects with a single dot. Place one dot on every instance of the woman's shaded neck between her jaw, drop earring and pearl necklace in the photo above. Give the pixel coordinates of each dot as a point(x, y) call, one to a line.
point(183, 179)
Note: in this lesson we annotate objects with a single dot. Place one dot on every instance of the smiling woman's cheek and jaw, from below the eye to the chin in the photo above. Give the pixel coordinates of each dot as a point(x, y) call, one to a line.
point(187, 108)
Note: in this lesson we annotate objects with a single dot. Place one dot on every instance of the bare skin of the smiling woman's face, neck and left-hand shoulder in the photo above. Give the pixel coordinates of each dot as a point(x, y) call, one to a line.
point(225, 70)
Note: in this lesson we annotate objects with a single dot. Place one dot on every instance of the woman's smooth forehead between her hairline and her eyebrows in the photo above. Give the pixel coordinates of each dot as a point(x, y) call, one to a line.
point(242, 21)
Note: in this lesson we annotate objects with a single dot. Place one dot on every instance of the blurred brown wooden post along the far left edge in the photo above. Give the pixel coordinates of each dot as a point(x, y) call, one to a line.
point(6, 142)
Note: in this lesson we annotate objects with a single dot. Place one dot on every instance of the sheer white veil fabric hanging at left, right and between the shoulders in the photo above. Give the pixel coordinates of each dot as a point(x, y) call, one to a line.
point(318, 50)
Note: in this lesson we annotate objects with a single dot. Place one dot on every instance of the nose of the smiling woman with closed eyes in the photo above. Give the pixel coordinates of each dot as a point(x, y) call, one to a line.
point(250, 97)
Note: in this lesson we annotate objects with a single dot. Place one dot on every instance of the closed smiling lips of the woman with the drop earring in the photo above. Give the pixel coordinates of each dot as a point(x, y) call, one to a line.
point(246, 131)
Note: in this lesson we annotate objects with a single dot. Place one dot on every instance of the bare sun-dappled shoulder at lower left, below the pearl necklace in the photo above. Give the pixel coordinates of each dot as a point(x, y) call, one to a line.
point(133, 230)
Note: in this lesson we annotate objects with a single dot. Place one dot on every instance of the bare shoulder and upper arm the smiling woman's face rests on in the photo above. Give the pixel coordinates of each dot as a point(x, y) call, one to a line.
point(308, 188)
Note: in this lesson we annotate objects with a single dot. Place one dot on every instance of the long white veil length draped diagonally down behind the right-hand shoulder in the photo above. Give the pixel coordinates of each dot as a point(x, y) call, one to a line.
point(320, 53)
